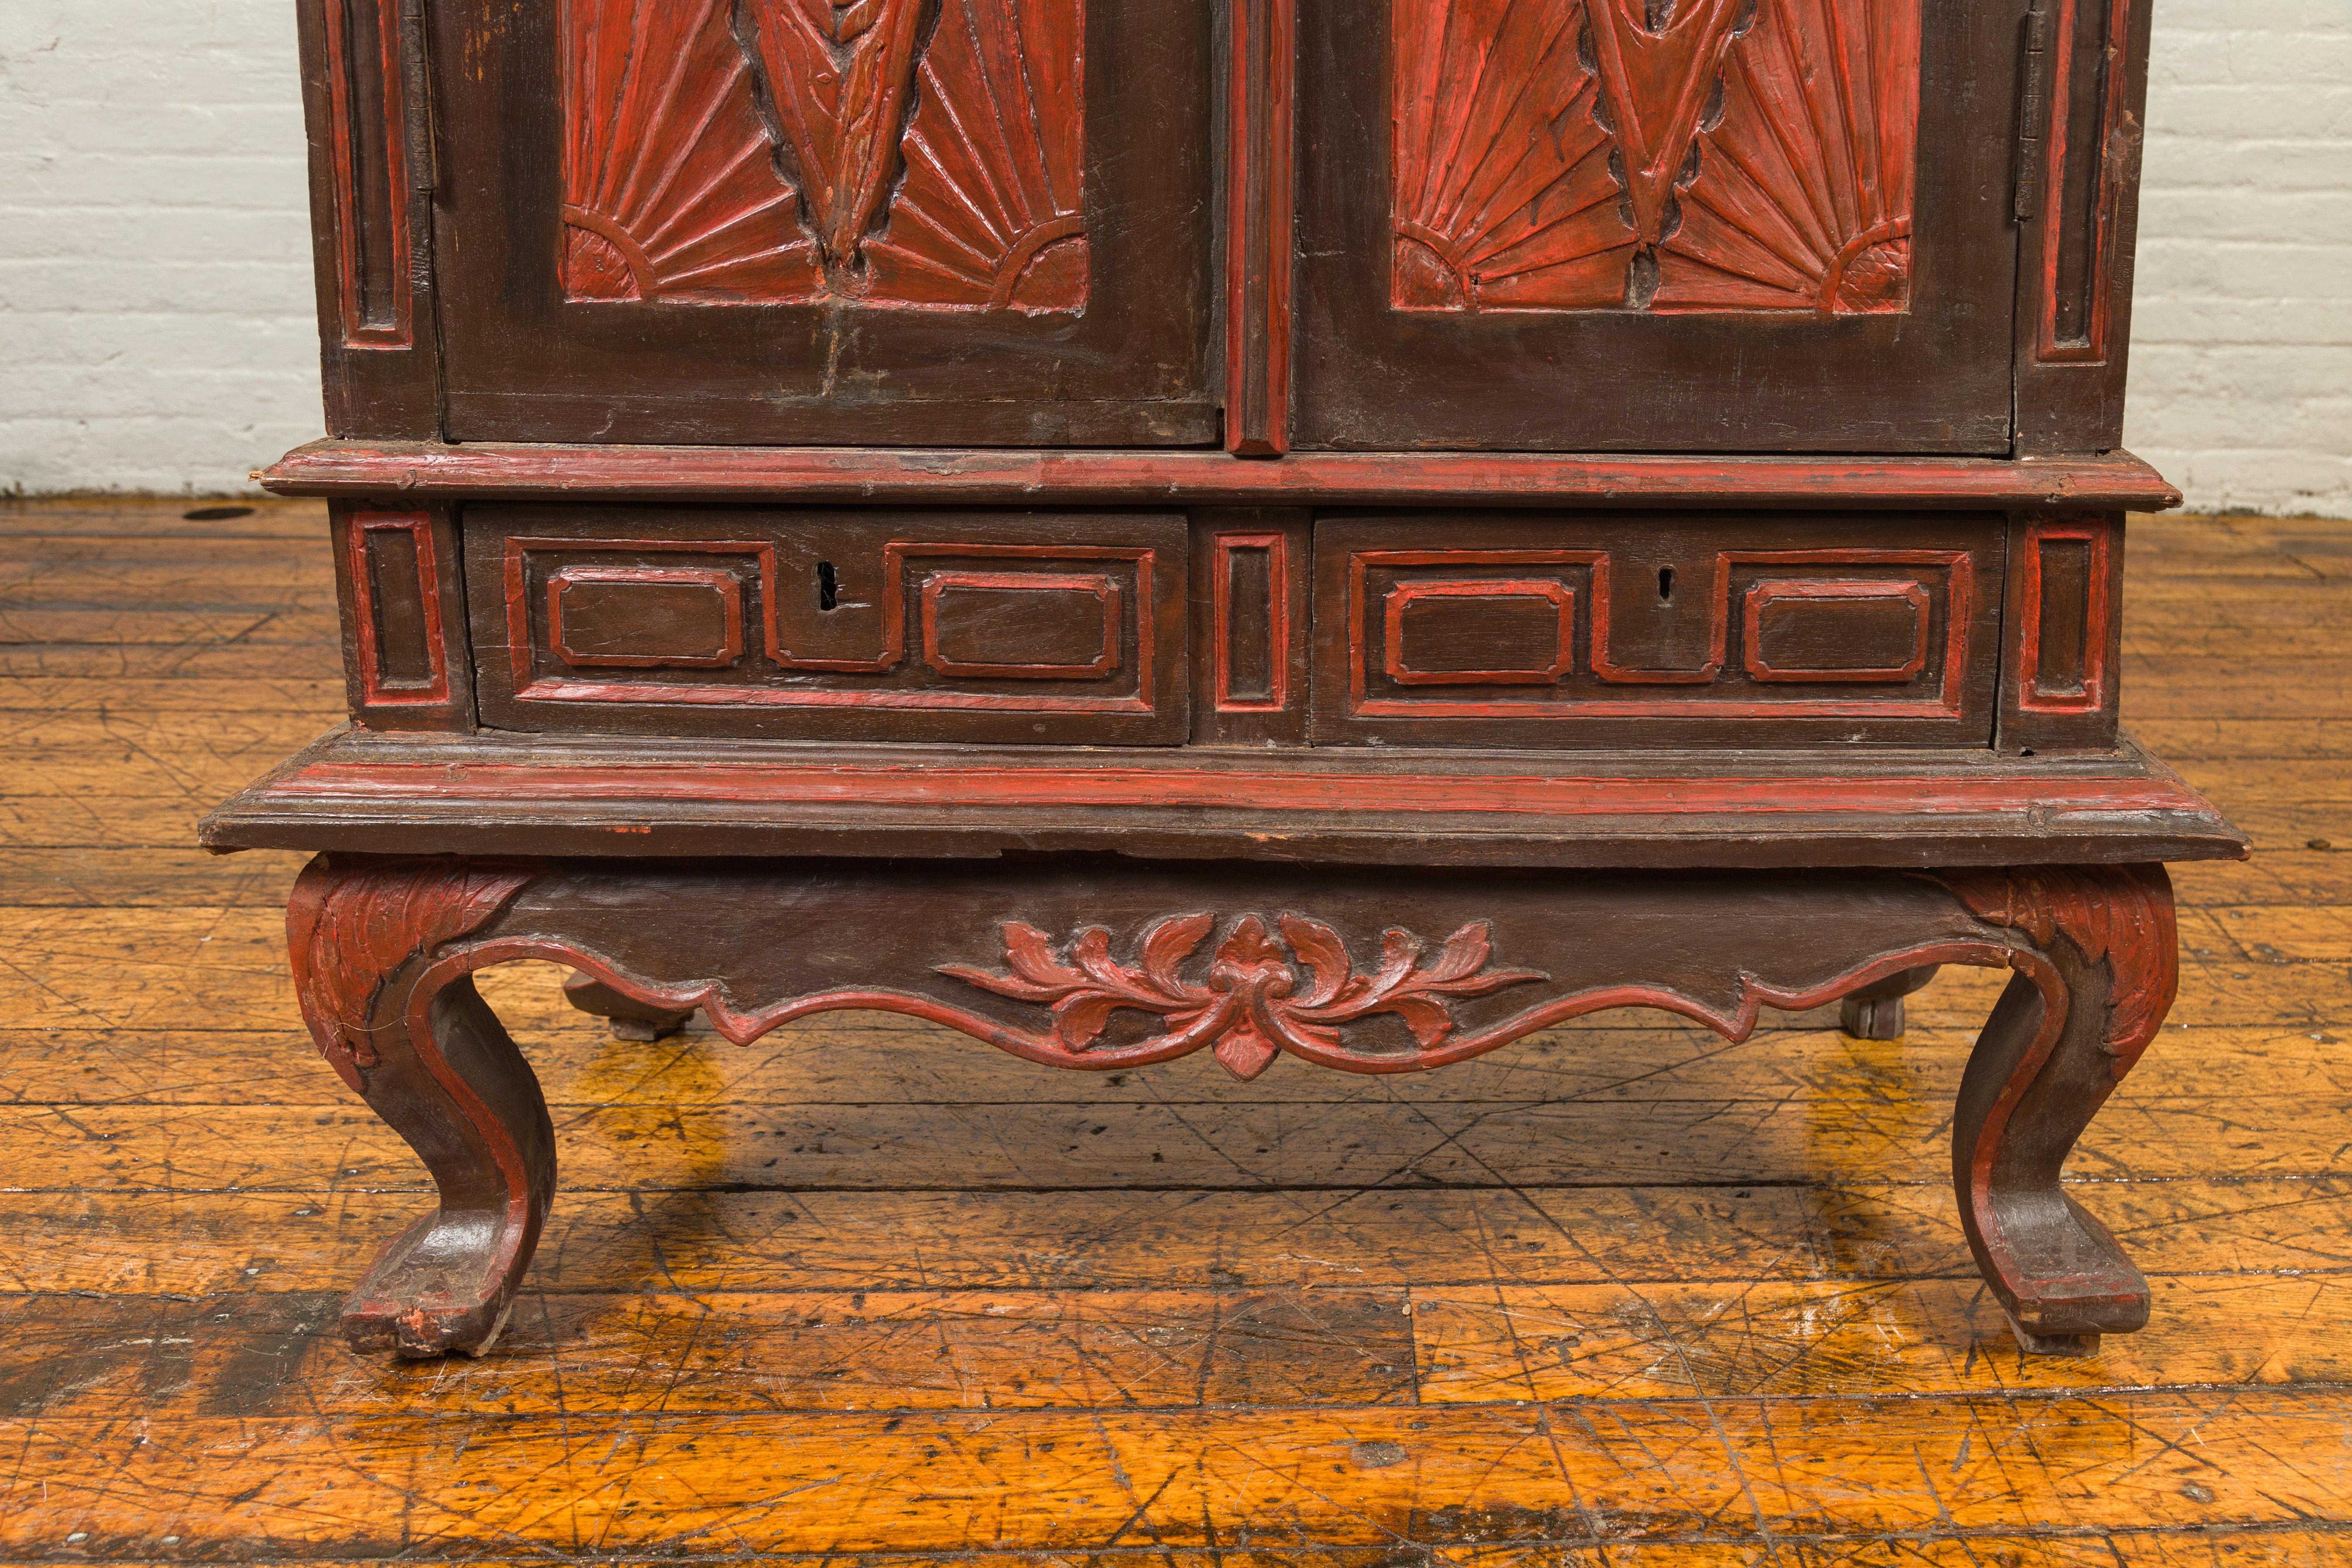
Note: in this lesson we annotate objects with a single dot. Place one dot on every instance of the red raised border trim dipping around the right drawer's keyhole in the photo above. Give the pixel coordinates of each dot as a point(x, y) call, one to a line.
point(1958, 563)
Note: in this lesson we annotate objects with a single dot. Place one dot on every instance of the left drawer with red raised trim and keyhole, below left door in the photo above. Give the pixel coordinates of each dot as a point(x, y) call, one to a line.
point(803, 624)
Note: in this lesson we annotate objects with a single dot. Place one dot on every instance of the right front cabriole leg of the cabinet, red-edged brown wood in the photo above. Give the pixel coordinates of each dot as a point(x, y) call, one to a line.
point(2090, 996)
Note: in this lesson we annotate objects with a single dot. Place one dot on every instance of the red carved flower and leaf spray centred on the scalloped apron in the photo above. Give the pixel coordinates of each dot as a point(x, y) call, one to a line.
point(1259, 993)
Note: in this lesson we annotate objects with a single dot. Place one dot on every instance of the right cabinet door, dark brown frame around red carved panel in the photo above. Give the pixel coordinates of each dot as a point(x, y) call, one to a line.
point(1659, 225)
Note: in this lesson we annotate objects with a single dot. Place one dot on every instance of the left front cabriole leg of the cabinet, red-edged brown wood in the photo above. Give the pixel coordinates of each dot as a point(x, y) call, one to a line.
point(396, 1014)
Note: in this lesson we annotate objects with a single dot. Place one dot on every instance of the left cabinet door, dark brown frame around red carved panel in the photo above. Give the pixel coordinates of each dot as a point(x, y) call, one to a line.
point(893, 222)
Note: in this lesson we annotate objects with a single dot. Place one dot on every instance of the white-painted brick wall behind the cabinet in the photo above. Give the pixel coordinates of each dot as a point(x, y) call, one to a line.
point(156, 288)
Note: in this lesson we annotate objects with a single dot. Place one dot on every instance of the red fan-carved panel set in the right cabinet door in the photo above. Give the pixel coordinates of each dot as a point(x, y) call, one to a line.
point(1655, 154)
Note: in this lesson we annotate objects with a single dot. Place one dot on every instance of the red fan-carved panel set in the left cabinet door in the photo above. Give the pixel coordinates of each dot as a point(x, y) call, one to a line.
point(904, 154)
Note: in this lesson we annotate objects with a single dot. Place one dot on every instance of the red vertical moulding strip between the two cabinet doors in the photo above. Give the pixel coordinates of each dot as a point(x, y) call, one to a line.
point(1259, 199)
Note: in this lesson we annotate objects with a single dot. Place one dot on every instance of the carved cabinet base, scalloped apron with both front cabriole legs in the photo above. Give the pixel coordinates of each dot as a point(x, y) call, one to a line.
point(1107, 965)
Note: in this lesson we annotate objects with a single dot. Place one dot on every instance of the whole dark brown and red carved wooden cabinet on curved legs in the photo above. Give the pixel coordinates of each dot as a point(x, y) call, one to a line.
point(1269, 528)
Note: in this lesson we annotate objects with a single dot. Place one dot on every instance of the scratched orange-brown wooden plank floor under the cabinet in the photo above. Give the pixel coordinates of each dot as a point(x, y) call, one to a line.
point(869, 1289)
